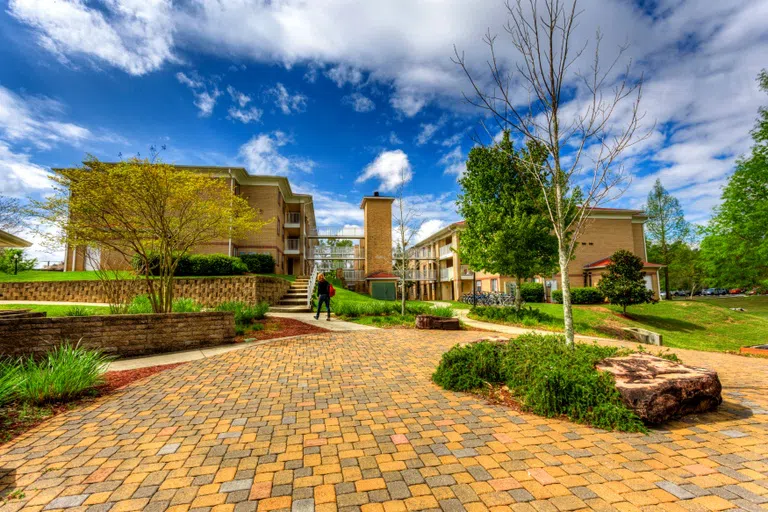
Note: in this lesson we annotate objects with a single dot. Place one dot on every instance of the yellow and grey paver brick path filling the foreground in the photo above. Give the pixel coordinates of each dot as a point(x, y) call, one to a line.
point(351, 421)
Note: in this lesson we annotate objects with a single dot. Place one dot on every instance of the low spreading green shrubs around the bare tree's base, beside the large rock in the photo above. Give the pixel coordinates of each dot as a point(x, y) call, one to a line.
point(547, 376)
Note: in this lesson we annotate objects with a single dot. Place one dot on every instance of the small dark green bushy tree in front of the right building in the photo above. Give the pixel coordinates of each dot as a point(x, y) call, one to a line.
point(624, 284)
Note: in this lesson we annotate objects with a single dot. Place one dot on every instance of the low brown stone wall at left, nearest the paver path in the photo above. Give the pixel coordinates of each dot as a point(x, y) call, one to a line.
point(119, 335)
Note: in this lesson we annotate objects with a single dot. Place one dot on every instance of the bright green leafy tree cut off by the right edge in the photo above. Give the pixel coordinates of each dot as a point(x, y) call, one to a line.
point(735, 246)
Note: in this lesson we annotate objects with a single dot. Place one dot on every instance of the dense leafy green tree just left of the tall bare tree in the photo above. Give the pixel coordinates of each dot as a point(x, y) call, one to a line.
point(506, 232)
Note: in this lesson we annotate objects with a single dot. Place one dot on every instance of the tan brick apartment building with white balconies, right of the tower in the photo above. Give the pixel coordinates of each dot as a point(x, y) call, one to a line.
point(440, 274)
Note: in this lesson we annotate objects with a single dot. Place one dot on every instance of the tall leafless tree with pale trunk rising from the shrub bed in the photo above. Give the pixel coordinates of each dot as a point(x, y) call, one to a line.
point(583, 138)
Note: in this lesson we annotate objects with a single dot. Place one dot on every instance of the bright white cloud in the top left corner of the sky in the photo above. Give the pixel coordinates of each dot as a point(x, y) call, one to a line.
point(133, 35)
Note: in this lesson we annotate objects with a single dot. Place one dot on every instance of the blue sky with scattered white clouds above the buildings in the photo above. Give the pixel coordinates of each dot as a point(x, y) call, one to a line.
point(339, 95)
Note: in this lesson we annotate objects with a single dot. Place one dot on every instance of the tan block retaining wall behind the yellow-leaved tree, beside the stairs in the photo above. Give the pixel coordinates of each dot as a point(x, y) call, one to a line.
point(208, 291)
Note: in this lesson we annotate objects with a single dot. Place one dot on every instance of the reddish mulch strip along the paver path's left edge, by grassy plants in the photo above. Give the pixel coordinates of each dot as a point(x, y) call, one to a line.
point(17, 418)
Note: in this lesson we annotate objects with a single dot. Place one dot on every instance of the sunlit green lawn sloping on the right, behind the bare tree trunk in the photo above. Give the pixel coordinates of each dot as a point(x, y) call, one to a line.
point(697, 324)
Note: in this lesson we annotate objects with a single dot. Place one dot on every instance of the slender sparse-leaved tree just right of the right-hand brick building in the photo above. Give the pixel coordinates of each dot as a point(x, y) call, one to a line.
point(666, 227)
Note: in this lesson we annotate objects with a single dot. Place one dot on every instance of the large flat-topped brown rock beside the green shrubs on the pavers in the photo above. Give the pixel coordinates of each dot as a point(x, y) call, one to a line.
point(658, 389)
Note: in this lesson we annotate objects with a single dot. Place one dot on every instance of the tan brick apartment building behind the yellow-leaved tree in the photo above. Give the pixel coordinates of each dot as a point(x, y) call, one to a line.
point(286, 238)
